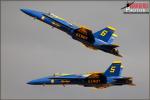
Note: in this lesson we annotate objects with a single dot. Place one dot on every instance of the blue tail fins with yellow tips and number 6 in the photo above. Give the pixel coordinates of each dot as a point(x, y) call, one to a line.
point(106, 34)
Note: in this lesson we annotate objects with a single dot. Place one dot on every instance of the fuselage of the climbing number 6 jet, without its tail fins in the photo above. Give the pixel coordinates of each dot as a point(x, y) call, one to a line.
point(81, 34)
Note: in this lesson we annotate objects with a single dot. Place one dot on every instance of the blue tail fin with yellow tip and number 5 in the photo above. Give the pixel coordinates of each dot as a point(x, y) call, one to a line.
point(115, 69)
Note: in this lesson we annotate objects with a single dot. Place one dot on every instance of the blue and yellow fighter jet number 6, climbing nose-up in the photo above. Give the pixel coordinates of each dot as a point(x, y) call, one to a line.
point(100, 40)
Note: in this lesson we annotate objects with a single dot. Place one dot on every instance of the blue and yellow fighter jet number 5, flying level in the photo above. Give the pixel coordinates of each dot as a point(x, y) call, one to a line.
point(111, 77)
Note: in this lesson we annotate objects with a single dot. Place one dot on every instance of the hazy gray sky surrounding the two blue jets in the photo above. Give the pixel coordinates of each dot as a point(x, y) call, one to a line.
point(31, 49)
